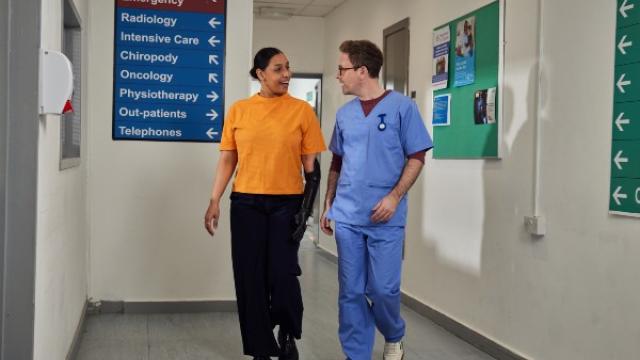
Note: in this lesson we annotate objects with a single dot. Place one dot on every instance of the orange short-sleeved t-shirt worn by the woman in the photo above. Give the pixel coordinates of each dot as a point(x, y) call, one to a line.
point(270, 135)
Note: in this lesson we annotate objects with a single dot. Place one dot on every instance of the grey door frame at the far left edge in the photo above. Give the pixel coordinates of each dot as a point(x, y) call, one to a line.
point(18, 193)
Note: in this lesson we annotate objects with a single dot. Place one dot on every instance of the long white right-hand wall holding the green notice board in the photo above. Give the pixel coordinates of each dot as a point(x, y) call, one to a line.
point(571, 294)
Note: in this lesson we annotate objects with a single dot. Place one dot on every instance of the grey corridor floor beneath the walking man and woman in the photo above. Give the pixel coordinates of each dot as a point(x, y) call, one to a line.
point(217, 335)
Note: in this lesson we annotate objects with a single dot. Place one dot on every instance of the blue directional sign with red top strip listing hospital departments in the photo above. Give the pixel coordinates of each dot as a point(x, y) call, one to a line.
point(169, 70)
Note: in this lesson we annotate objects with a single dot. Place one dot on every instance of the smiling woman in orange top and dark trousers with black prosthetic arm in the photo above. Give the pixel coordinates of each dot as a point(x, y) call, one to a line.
point(268, 138)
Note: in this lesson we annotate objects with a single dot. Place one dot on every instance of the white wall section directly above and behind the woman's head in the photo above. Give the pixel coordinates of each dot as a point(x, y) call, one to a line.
point(300, 38)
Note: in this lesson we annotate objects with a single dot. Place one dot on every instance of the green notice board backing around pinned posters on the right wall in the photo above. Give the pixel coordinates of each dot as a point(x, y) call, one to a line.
point(463, 138)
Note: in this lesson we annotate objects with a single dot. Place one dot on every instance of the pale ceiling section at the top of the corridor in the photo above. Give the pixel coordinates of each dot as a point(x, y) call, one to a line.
point(286, 8)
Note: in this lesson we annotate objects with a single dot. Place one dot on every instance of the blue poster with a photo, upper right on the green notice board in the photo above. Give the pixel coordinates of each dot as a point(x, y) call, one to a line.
point(465, 52)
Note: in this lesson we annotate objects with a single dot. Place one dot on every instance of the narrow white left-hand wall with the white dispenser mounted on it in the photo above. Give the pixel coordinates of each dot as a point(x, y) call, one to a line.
point(61, 241)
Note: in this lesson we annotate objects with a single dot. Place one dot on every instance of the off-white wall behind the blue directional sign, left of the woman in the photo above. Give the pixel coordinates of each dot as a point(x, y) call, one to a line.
point(147, 199)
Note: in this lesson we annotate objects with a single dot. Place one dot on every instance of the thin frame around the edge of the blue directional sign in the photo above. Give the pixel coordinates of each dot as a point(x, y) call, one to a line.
point(222, 98)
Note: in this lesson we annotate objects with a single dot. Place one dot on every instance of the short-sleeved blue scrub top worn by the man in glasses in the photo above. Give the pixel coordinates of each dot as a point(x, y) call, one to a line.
point(374, 150)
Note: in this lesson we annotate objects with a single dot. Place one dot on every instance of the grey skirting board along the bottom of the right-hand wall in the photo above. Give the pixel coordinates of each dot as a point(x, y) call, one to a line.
point(456, 328)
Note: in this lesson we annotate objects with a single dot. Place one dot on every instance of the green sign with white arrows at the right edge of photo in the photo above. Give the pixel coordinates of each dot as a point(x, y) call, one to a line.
point(625, 121)
